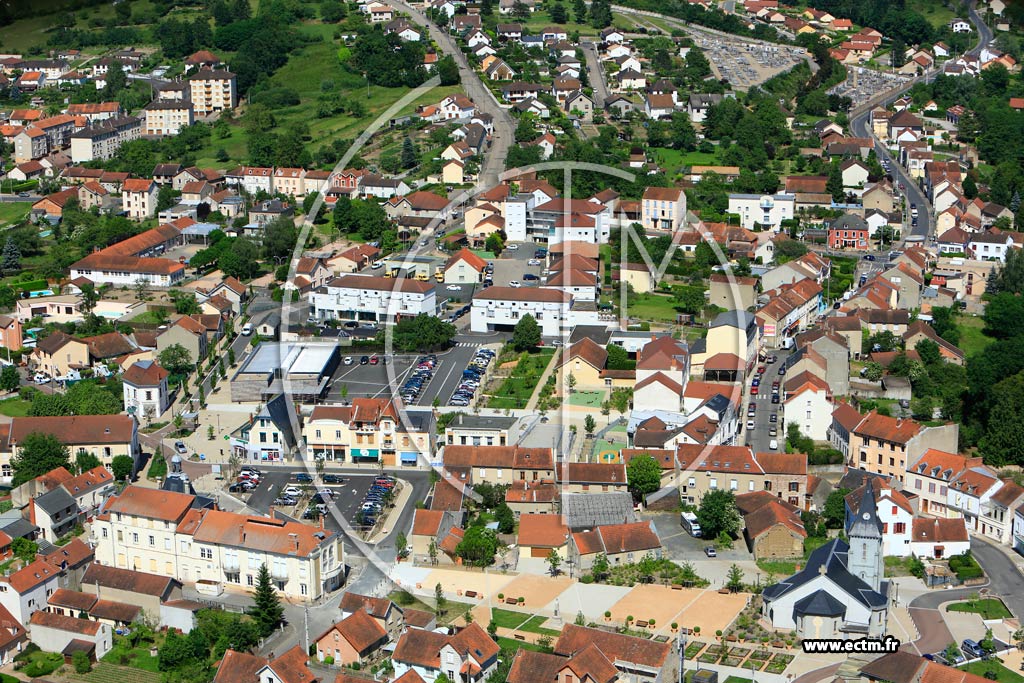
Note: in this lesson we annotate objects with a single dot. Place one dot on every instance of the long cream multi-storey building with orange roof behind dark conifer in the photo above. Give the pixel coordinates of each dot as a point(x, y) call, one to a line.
point(161, 533)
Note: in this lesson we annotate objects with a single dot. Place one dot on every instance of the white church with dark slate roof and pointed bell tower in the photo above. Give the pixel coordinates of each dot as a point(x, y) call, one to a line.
point(840, 593)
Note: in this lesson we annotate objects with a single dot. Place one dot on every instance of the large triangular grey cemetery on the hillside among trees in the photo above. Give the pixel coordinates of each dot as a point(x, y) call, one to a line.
point(747, 65)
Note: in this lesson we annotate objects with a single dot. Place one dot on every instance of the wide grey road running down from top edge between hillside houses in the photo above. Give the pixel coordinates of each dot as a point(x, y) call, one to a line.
point(494, 158)
